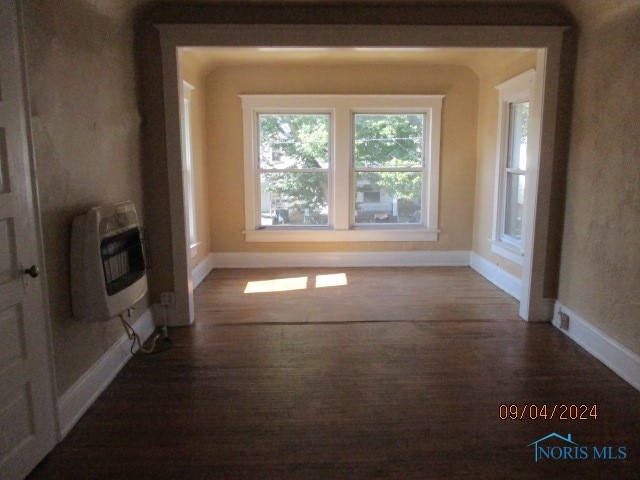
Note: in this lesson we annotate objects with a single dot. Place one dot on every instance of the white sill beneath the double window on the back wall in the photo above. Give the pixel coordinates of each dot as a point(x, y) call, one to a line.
point(359, 235)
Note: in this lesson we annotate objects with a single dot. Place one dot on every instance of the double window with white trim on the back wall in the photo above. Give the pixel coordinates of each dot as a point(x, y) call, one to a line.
point(341, 167)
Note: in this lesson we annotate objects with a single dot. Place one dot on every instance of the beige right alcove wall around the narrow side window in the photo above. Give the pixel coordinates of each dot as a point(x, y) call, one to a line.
point(487, 157)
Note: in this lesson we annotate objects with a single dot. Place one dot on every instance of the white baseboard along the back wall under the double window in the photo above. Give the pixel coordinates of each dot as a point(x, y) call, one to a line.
point(342, 259)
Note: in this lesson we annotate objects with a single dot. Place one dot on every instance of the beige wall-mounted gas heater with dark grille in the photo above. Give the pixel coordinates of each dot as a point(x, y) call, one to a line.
point(108, 265)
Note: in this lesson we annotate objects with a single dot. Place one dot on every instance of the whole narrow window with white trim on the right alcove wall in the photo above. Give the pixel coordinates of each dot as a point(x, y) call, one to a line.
point(515, 98)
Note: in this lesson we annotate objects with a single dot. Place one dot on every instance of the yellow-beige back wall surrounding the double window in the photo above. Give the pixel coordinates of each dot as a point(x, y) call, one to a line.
point(225, 144)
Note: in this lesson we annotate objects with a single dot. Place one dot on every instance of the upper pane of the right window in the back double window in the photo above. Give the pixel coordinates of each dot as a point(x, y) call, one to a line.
point(388, 140)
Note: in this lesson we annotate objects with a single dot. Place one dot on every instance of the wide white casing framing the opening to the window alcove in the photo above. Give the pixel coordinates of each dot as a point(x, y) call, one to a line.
point(548, 40)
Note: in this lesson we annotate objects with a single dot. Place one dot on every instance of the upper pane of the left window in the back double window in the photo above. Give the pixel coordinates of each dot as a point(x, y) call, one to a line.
point(294, 141)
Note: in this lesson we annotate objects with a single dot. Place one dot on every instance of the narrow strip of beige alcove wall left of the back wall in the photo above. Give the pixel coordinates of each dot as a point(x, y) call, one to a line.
point(191, 73)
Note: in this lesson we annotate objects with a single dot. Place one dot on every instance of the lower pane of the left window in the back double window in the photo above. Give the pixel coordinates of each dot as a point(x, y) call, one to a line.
point(293, 198)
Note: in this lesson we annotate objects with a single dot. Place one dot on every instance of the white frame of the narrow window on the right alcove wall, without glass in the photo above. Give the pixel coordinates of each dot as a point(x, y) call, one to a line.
point(516, 90)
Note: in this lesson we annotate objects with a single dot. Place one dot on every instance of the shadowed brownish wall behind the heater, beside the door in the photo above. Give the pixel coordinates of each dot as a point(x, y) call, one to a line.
point(85, 123)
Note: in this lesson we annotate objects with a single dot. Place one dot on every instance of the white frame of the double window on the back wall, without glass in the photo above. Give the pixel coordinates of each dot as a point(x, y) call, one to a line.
point(341, 203)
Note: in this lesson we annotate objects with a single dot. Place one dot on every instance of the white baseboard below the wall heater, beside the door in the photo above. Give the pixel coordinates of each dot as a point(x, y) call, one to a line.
point(75, 401)
